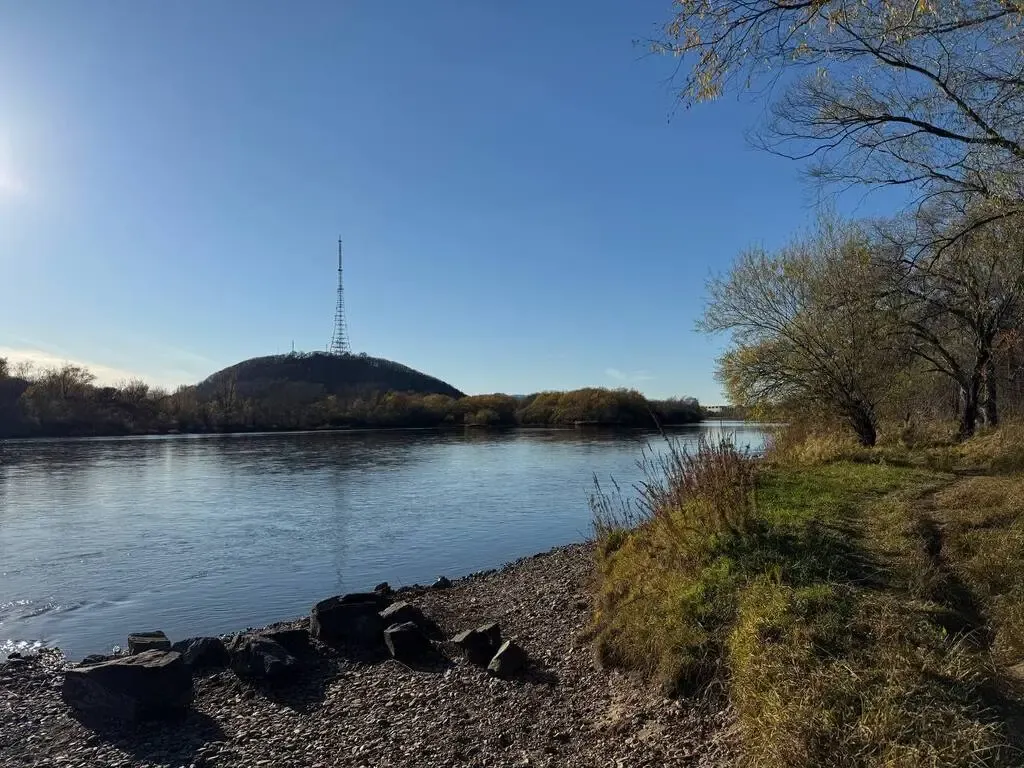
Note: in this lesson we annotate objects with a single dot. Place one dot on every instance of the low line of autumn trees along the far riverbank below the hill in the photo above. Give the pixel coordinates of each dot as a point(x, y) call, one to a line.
point(66, 402)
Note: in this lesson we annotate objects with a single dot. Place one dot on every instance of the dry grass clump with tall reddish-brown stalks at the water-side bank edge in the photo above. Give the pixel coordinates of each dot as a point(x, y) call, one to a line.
point(690, 513)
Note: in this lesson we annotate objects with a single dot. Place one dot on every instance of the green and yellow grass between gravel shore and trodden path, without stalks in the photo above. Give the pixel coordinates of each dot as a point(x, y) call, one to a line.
point(823, 619)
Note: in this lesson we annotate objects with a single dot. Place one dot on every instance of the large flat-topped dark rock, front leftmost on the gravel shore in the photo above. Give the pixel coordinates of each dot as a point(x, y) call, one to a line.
point(148, 686)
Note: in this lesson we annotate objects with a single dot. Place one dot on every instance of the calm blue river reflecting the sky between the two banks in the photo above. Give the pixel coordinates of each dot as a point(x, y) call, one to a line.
point(208, 535)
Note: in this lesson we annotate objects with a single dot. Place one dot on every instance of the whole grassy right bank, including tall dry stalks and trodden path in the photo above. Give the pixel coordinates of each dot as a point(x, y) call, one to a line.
point(840, 618)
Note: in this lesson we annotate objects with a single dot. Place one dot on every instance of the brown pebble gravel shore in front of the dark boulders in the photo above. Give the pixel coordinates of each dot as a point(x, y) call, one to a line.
point(564, 712)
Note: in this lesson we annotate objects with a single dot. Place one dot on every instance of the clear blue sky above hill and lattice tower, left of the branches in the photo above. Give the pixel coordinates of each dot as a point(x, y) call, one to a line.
point(521, 207)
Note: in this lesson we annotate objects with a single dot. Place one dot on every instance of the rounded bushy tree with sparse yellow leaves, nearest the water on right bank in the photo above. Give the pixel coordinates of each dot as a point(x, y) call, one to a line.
point(807, 330)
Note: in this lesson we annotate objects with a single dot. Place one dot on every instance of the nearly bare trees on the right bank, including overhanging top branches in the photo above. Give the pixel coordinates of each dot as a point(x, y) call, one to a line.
point(888, 323)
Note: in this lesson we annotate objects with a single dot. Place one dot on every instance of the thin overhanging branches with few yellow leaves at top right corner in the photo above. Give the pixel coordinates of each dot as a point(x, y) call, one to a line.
point(928, 96)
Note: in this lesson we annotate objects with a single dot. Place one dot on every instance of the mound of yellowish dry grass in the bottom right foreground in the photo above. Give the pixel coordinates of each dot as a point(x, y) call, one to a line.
point(830, 676)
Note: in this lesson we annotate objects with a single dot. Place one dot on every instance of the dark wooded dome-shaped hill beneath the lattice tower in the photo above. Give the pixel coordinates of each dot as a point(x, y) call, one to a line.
point(323, 374)
